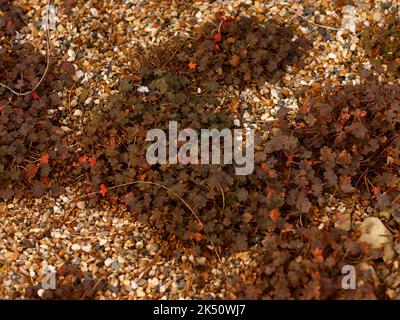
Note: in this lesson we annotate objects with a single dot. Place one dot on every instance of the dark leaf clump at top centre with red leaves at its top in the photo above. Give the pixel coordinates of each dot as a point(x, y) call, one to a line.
point(237, 51)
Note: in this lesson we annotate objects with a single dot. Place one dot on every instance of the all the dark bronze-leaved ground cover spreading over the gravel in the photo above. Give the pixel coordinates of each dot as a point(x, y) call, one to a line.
point(342, 142)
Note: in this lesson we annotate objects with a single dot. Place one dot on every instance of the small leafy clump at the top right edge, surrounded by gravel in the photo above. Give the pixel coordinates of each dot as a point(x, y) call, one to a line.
point(382, 44)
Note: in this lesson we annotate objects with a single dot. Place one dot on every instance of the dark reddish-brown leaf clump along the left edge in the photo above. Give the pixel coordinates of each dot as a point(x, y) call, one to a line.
point(30, 137)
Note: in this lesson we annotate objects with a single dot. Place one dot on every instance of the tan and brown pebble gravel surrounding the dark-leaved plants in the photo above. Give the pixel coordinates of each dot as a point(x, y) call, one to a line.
point(98, 37)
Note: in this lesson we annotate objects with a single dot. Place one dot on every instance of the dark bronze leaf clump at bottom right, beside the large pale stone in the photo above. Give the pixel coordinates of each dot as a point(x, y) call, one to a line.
point(308, 265)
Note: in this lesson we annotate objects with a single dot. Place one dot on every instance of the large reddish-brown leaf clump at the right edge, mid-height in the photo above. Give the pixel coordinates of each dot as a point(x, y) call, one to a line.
point(344, 141)
